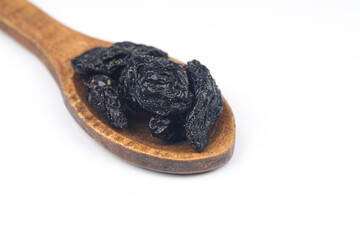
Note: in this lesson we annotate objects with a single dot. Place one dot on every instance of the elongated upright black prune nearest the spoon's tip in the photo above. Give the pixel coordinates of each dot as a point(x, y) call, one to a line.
point(208, 105)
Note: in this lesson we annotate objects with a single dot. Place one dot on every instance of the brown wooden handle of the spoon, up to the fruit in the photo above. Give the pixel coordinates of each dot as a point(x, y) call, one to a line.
point(51, 41)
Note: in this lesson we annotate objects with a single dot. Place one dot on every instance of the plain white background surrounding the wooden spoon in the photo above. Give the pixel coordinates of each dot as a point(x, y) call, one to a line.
point(289, 69)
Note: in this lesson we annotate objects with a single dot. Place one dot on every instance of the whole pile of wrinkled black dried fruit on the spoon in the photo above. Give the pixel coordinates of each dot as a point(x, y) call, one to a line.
point(184, 102)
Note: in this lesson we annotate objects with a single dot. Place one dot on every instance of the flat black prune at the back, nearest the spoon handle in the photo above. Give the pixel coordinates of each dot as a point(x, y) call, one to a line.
point(112, 60)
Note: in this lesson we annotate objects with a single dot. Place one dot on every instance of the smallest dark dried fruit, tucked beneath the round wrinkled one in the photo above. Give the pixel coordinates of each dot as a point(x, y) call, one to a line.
point(167, 128)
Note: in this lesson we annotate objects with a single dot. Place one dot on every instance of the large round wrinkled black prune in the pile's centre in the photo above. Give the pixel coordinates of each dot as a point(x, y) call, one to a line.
point(158, 85)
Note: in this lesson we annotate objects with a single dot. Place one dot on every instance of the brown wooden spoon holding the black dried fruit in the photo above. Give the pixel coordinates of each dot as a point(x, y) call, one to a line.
point(56, 44)
